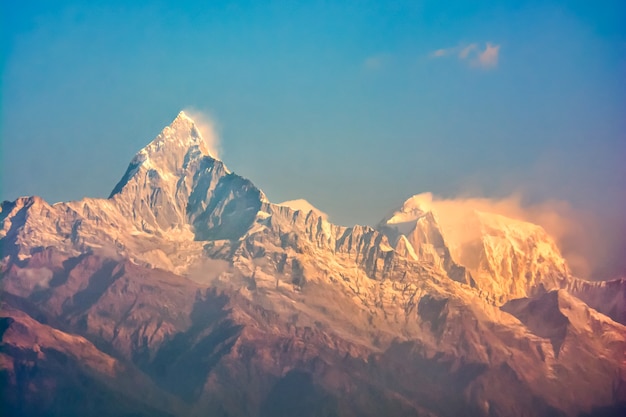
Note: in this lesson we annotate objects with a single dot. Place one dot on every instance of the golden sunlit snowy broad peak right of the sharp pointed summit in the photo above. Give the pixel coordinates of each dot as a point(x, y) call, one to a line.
point(506, 258)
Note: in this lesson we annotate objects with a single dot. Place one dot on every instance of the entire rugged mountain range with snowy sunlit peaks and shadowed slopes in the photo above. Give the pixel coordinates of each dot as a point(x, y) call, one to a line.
point(187, 292)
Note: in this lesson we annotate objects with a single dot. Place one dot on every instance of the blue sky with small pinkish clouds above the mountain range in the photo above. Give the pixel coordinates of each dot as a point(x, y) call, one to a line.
point(353, 105)
